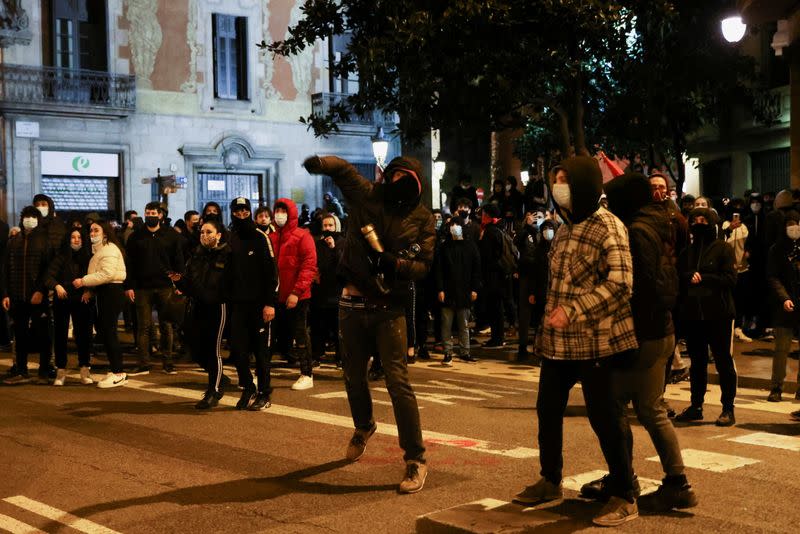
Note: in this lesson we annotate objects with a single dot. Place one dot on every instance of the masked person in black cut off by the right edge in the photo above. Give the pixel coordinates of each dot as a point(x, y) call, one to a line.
point(783, 277)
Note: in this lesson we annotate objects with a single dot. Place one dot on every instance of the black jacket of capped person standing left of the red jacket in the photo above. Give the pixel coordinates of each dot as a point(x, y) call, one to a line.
point(252, 274)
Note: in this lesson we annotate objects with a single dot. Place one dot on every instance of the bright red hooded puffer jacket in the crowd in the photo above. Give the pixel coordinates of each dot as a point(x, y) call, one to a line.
point(295, 255)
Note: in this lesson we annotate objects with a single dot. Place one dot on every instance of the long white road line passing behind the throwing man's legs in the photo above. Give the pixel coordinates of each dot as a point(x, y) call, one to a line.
point(449, 440)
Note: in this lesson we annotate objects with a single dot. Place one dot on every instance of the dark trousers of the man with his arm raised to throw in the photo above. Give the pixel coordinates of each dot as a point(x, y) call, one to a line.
point(382, 332)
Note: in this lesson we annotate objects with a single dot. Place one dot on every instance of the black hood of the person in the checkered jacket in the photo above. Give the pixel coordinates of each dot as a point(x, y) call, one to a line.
point(585, 185)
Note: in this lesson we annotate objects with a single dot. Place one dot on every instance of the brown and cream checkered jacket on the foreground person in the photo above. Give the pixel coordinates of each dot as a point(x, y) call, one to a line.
point(591, 277)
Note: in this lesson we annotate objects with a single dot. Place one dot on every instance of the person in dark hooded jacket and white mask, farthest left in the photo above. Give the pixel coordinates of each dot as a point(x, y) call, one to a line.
point(24, 294)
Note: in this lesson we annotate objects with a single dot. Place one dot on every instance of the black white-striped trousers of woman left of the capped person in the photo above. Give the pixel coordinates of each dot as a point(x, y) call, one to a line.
point(204, 328)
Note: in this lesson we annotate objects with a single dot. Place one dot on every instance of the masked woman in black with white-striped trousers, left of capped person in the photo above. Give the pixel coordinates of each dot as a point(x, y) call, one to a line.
point(204, 283)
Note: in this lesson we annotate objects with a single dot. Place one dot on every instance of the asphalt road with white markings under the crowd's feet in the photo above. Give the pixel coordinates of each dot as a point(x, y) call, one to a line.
point(142, 459)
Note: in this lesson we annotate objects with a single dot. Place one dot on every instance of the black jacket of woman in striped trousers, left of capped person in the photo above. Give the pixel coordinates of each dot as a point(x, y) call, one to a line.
point(205, 278)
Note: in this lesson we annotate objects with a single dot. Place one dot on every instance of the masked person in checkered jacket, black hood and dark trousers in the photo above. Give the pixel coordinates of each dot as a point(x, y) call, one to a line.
point(587, 331)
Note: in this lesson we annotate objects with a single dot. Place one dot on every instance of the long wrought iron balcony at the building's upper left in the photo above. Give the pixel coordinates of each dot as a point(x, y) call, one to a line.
point(56, 91)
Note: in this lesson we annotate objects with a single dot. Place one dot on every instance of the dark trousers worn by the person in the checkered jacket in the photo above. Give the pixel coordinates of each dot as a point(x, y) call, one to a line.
point(605, 413)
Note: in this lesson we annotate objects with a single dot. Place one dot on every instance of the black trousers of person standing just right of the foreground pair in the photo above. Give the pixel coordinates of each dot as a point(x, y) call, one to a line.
point(718, 336)
